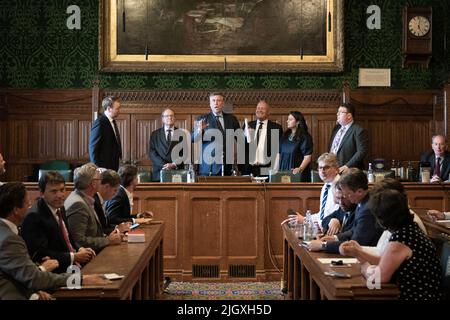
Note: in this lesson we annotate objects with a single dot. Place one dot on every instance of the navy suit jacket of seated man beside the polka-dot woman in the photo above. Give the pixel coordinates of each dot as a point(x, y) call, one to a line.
point(365, 229)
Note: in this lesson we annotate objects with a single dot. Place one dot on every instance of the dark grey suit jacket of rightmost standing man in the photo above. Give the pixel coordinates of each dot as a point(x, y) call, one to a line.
point(354, 146)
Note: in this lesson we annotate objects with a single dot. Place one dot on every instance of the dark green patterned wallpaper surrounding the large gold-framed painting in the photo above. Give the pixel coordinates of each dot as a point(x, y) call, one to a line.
point(38, 51)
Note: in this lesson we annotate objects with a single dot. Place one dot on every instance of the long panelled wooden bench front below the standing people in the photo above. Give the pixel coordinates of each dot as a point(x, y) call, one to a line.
point(231, 230)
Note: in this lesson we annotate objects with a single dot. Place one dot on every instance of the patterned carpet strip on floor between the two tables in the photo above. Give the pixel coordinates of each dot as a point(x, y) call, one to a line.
point(223, 291)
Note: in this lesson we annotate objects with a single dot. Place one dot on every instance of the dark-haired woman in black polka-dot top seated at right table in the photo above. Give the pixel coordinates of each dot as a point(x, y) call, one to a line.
point(410, 258)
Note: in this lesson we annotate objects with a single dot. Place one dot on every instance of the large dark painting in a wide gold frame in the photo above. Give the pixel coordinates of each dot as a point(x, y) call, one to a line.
point(221, 35)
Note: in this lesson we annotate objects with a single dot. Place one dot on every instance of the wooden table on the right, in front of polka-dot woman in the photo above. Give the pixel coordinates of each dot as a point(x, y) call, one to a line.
point(305, 278)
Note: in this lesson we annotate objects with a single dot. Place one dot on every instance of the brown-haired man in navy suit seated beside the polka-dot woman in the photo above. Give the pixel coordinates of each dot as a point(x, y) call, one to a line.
point(364, 229)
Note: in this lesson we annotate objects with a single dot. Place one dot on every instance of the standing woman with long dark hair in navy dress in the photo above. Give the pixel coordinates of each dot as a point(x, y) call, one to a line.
point(296, 147)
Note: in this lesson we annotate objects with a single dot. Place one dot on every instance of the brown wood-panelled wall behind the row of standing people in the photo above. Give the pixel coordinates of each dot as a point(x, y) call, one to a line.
point(41, 125)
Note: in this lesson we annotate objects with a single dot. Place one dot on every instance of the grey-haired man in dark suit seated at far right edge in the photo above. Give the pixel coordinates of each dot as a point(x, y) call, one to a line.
point(439, 159)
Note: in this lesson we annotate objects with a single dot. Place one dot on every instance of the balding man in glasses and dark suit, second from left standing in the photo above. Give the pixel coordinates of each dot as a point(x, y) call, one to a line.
point(161, 145)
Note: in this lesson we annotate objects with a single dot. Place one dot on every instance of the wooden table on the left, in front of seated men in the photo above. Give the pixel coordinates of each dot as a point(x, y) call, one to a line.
point(140, 263)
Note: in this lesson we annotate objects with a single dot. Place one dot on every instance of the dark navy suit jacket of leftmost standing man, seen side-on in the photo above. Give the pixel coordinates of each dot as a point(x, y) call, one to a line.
point(104, 150)
